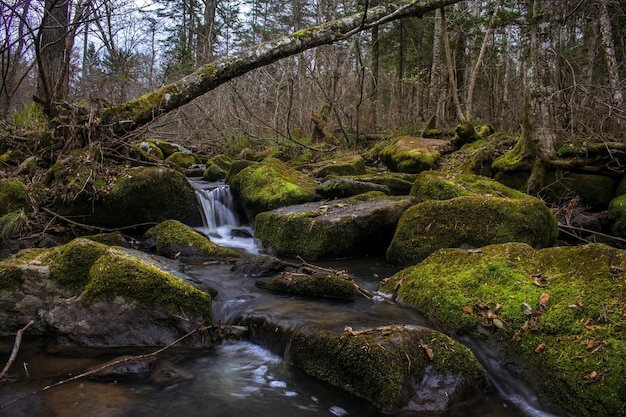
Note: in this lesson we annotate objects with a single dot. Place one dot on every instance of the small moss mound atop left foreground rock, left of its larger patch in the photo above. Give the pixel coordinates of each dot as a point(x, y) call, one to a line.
point(71, 264)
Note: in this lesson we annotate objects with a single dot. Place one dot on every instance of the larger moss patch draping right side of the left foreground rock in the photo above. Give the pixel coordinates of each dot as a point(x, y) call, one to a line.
point(116, 274)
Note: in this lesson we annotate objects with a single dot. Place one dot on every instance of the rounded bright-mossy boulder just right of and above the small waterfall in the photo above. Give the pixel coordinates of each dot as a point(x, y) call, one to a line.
point(271, 184)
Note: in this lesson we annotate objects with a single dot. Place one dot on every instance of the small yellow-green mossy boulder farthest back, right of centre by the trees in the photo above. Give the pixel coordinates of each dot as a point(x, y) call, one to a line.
point(413, 155)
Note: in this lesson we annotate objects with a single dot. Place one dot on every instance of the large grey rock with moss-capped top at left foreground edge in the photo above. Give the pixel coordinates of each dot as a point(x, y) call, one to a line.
point(86, 293)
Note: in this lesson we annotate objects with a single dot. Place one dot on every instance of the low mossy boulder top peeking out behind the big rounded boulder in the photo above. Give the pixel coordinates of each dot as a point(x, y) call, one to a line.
point(437, 185)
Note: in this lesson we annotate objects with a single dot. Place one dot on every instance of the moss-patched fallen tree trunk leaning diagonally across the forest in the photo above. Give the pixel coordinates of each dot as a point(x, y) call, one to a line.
point(133, 114)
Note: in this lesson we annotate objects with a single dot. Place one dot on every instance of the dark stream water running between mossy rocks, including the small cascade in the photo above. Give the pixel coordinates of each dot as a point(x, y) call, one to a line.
point(247, 378)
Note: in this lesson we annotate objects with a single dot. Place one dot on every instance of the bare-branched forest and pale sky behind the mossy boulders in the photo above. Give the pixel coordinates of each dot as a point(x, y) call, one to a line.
point(480, 60)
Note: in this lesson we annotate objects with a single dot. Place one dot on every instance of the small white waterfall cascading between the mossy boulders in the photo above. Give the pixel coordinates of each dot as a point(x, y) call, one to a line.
point(223, 222)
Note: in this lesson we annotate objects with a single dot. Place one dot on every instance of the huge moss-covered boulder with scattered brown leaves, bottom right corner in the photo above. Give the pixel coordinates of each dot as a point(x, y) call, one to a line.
point(557, 314)
